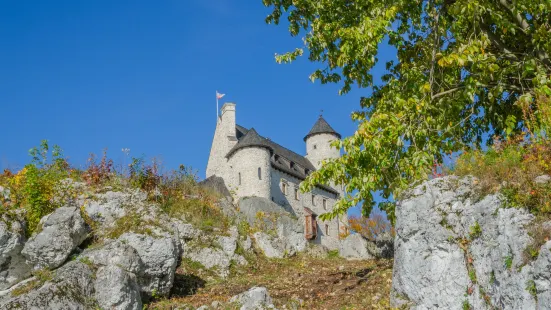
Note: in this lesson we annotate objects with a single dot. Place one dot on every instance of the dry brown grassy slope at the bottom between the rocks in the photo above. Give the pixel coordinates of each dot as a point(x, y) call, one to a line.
point(328, 283)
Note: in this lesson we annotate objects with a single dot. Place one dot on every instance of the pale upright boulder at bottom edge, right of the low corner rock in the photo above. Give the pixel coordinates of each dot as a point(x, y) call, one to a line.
point(116, 288)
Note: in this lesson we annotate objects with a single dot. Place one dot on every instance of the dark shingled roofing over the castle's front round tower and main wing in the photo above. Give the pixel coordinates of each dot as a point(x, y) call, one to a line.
point(249, 138)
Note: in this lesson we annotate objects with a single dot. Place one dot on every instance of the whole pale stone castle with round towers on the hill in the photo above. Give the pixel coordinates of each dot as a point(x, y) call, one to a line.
point(252, 165)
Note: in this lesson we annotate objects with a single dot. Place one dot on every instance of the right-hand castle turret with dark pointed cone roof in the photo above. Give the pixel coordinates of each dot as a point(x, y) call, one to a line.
point(318, 143)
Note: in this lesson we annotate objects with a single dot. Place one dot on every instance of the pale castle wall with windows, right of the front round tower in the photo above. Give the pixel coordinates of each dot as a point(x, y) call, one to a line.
point(305, 200)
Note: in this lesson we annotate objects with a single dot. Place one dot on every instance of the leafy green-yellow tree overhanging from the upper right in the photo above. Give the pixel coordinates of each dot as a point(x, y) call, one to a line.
point(464, 69)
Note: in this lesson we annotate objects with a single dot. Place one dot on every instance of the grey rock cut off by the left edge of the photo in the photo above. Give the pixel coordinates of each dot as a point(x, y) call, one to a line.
point(13, 267)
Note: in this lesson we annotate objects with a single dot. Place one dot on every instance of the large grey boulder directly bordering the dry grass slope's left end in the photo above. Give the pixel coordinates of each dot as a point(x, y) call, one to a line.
point(159, 254)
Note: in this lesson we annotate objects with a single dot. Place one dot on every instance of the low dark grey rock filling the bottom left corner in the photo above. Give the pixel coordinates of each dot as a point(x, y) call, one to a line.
point(72, 288)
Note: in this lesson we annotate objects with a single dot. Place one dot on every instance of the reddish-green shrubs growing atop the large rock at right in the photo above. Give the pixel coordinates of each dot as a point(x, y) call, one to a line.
point(511, 168)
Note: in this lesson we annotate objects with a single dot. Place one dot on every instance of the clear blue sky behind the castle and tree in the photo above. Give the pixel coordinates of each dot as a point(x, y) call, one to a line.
point(89, 75)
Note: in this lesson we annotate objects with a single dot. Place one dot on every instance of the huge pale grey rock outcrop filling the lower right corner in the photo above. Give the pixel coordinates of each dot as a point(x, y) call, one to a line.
point(455, 251)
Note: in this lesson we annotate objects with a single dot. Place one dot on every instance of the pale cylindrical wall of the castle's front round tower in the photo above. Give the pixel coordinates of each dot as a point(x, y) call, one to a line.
point(247, 161)
